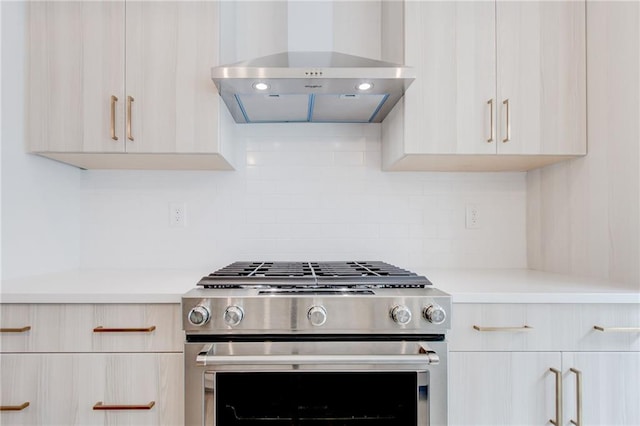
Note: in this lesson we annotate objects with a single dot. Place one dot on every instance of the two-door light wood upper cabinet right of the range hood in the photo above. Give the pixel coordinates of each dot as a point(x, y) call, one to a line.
point(500, 85)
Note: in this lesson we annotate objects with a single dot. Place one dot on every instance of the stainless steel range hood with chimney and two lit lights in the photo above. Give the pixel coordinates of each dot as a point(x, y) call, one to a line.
point(309, 81)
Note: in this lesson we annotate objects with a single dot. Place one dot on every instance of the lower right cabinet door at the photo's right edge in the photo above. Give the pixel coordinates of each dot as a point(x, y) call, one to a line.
point(610, 387)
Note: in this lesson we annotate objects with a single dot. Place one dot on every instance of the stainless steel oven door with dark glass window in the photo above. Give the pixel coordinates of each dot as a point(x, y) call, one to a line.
point(400, 383)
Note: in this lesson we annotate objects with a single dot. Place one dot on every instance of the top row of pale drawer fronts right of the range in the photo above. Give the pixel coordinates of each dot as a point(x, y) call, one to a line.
point(545, 327)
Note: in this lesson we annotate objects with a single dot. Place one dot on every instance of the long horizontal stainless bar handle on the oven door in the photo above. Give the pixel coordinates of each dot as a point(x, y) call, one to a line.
point(425, 357)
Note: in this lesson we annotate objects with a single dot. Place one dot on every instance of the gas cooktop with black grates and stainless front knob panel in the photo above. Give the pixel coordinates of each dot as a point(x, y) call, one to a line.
point(356, 297)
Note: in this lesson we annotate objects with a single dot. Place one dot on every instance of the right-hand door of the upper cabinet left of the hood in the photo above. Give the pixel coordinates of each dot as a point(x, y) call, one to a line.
point(171, 47)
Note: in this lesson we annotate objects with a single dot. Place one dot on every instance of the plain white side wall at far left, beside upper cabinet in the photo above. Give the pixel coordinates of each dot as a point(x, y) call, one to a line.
point(40, 198)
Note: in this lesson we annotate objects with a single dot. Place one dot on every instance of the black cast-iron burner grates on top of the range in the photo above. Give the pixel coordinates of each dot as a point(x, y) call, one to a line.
point(354, 274)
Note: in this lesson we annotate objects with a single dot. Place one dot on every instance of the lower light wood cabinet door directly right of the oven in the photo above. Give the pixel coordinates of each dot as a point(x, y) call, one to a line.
point(502, 388)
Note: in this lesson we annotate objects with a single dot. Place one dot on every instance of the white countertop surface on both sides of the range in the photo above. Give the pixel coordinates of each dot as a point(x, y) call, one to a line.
point(167, 286)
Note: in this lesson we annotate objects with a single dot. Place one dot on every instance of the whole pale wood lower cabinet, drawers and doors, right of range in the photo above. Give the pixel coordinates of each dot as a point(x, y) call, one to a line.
point(502, 355)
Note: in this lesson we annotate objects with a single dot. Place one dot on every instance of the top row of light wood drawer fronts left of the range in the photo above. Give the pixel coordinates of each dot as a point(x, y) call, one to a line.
point(90, 328)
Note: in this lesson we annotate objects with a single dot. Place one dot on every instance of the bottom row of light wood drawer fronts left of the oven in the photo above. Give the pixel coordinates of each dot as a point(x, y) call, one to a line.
point(92, 389)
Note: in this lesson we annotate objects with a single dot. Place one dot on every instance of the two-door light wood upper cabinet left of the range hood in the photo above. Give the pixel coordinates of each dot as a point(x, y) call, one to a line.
point(125, 85)
